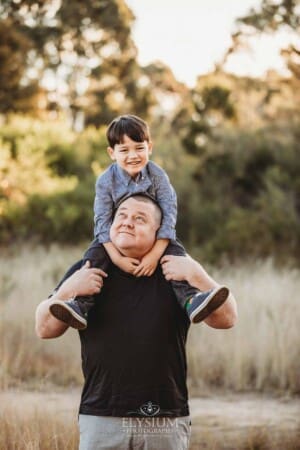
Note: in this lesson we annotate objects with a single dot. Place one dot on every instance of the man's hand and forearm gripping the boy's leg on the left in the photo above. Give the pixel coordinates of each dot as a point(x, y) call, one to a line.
point(85, 281)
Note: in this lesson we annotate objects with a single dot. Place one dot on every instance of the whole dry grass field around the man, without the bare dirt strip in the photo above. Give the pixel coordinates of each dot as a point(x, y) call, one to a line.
point(260, 355)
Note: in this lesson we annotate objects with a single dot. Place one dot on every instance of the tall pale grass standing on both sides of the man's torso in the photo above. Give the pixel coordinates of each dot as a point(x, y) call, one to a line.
point(260, 353)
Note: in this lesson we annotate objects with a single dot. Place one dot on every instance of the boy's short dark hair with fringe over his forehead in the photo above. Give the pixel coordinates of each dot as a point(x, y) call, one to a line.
point(134, 127)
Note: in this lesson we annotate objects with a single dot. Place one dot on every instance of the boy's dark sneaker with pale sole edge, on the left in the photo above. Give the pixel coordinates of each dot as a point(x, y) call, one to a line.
point(70, 313)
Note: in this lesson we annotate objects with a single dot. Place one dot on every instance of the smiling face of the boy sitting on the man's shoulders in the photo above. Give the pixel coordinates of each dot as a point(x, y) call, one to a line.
point(130, 155)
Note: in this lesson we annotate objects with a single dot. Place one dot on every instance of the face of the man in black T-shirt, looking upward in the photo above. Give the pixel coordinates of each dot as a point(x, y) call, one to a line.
point(134, 228)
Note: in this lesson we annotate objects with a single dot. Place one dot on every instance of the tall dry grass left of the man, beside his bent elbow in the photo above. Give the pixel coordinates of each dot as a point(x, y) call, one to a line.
point(27, 277)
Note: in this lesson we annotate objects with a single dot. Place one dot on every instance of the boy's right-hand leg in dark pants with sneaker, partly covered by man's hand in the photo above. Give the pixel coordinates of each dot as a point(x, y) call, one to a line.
point(197, 304)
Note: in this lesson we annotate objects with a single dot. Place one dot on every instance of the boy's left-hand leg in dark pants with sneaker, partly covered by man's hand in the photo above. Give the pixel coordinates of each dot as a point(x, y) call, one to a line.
point(75, 311)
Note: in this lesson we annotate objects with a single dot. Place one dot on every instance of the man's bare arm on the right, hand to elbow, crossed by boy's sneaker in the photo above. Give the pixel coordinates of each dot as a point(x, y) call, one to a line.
point(185, 268)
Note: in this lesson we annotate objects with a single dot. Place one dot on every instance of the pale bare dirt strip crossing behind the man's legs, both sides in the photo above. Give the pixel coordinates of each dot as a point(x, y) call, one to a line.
point(215, 419)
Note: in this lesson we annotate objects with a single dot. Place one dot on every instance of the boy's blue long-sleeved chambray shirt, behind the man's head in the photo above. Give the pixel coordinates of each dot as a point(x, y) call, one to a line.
point(115, 183)
